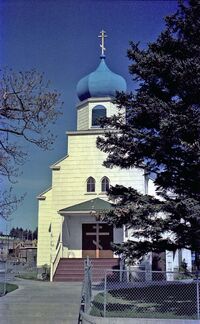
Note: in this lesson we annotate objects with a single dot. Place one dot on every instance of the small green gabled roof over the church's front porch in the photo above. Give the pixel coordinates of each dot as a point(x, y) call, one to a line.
point(88, 206)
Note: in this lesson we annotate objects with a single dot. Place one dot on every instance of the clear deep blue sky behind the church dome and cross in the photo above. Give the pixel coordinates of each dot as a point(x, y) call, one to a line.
point(60, 38)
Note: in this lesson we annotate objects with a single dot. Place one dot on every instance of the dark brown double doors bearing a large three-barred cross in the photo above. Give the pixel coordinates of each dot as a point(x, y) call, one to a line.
point(96, 239)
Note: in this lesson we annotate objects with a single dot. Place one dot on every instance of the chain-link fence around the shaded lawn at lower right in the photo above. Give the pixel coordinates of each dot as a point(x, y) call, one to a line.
point(135, 293)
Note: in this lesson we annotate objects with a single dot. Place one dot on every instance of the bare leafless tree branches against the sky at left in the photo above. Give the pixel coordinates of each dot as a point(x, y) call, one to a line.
point(28, 107)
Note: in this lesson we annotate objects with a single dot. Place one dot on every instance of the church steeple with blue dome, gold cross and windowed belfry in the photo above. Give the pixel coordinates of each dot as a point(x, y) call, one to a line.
point(96, 91)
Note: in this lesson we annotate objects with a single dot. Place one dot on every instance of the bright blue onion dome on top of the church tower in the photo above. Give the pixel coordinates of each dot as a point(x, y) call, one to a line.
point(100, 83)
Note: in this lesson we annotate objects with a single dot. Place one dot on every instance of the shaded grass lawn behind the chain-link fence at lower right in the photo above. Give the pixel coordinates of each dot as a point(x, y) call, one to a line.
point(164, 301)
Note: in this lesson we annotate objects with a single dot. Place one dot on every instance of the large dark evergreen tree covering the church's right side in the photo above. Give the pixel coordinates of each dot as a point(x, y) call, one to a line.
point(161, 135)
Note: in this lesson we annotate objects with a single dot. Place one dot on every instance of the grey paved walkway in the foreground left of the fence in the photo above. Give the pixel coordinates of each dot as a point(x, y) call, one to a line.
point(36, 302)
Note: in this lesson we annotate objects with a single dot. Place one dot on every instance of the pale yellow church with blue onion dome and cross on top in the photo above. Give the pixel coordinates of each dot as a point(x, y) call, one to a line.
point(68, 223)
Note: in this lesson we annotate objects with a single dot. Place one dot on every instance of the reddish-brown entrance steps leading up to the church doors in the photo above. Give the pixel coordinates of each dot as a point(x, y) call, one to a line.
point(73, 269)
